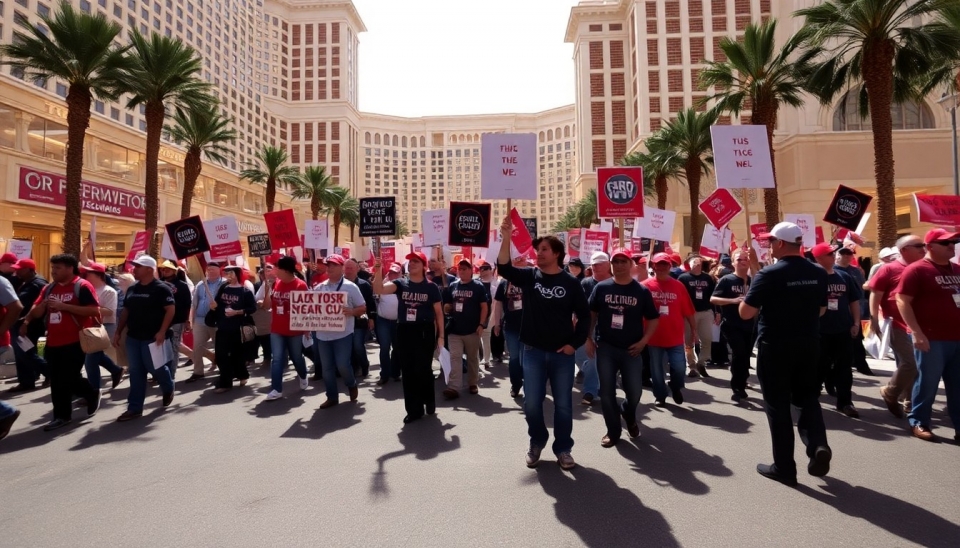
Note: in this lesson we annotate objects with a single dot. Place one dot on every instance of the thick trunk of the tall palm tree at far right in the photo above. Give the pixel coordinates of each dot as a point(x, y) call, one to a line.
point(878, 79)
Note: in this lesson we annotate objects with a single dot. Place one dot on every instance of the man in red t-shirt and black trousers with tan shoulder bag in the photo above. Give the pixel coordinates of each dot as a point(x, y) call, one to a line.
point(69, 304)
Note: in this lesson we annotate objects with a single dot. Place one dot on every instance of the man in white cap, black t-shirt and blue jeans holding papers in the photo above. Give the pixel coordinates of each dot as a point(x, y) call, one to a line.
point(148, 310)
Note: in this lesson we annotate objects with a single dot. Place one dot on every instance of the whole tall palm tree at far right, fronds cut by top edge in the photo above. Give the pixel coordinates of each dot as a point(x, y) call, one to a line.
point(876, 47)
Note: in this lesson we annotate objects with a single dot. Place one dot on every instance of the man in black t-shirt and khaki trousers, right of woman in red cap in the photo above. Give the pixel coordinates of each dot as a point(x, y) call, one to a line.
point(468, 306)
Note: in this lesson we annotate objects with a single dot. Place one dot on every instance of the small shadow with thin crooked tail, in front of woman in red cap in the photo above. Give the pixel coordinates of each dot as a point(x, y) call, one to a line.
point(425, 439)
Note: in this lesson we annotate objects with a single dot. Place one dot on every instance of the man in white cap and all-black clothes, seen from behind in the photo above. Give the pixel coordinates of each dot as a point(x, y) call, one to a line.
point(790, 297)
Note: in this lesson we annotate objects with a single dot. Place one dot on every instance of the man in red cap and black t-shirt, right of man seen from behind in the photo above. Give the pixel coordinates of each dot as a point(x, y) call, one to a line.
point(839, 326)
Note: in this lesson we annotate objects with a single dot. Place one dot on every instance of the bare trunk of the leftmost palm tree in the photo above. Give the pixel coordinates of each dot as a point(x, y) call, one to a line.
point(78, 119)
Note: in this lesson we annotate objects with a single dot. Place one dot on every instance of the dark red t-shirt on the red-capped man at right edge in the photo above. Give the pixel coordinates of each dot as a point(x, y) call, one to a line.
point(936, 298)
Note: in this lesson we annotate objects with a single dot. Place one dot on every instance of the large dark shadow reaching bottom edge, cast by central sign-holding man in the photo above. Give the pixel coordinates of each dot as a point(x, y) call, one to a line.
point(601, 512)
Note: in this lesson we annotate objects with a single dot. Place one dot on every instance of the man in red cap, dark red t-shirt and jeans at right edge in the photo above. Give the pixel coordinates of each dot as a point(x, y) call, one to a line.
point(929, 301)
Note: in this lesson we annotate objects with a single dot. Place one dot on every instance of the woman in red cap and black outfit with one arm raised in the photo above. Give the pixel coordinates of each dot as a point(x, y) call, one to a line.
point(419, 333)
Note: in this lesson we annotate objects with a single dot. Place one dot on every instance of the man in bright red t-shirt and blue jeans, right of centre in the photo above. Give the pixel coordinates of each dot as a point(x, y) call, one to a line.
point(666, 346)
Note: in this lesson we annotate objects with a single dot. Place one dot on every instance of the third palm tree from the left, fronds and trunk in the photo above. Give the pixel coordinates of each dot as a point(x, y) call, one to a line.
point(204, 131)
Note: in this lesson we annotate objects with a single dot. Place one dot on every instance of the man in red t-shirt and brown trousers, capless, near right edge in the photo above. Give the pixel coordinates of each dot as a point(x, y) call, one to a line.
point(883, 298)
